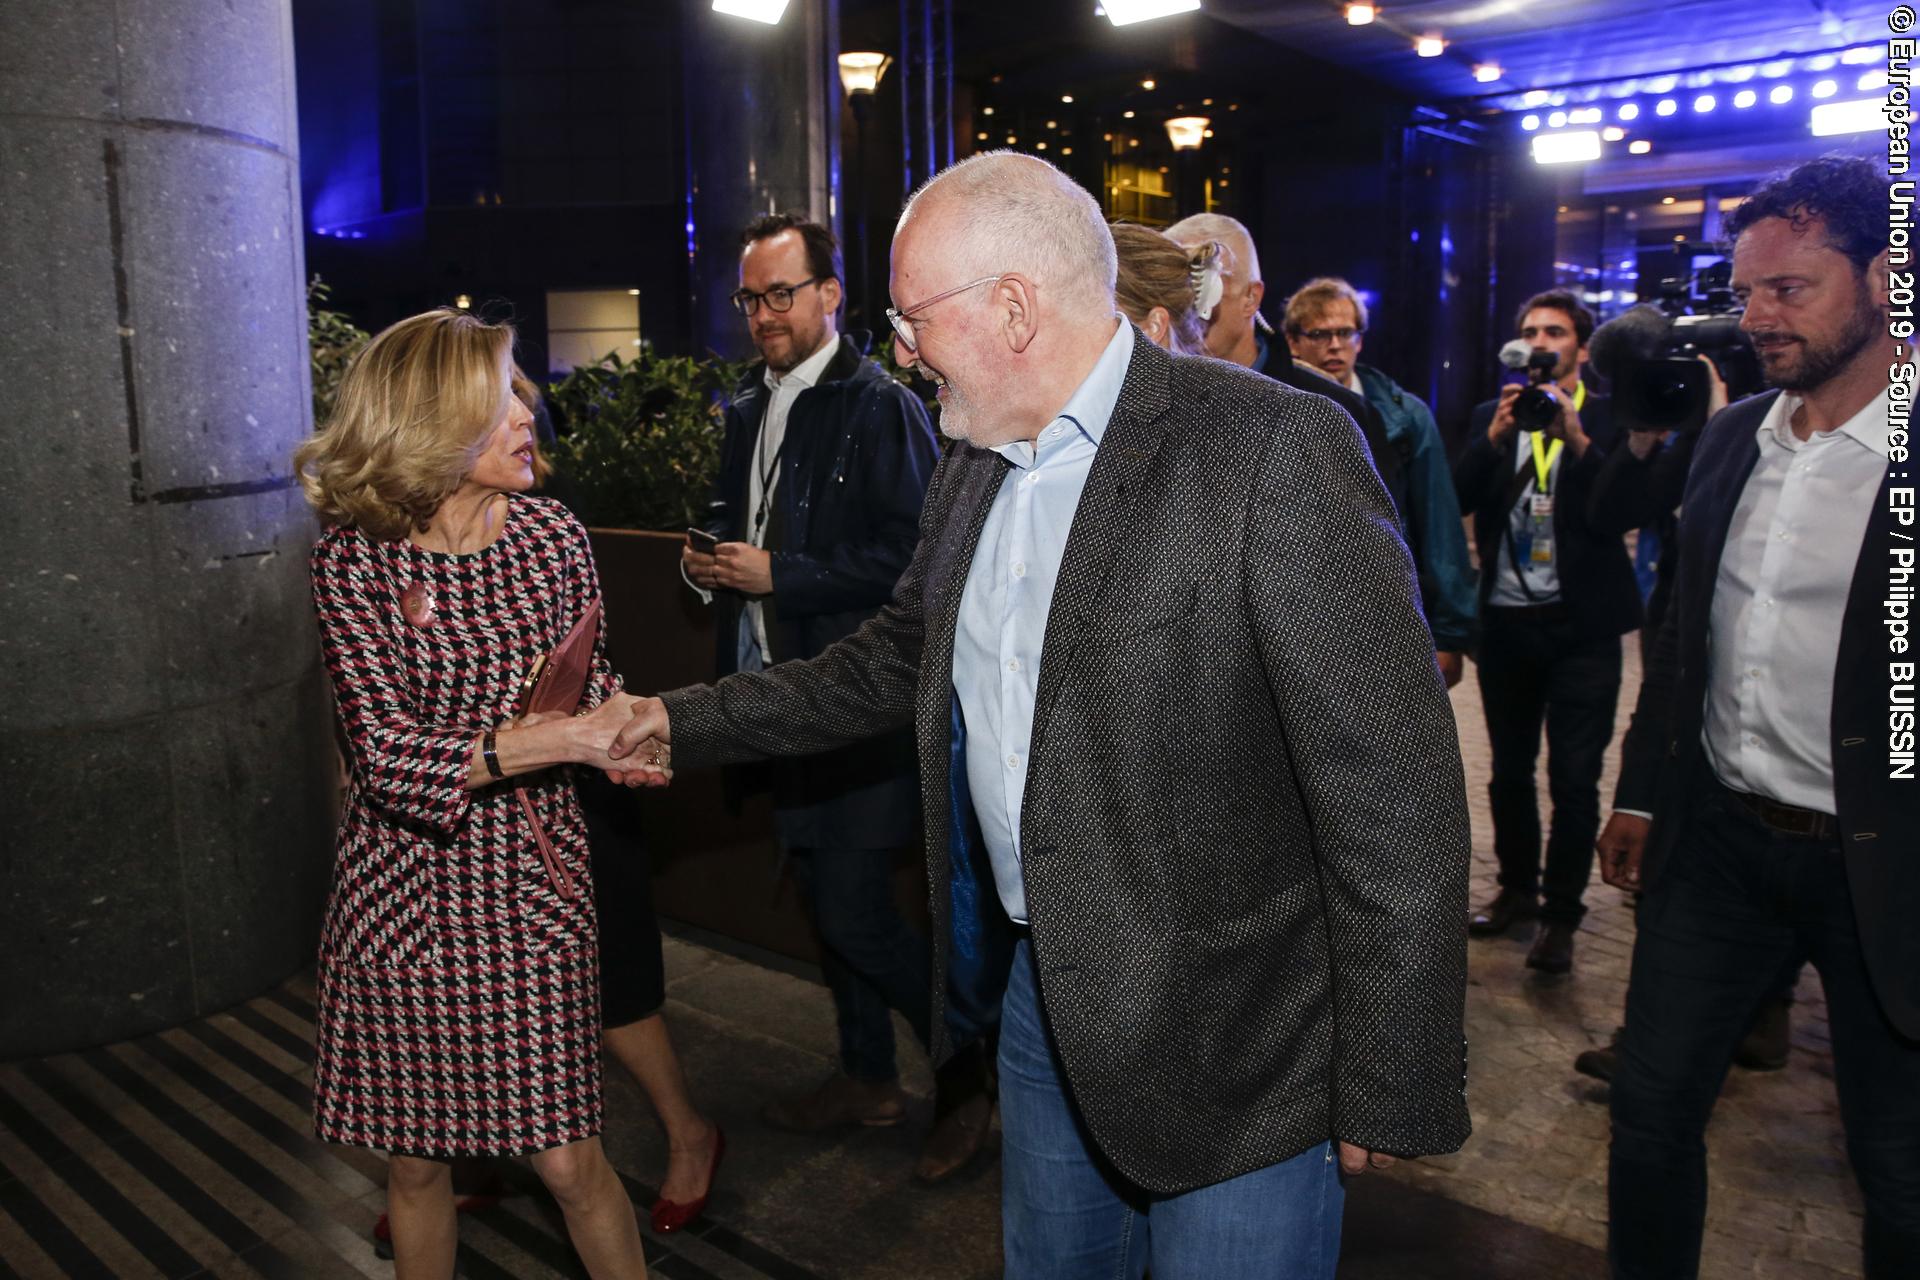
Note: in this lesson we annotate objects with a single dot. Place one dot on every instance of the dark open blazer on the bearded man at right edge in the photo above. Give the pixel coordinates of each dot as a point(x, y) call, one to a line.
point(1666, 770)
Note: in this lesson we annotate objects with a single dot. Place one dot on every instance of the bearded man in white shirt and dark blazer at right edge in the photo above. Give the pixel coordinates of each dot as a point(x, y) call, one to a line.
point(1762, 803)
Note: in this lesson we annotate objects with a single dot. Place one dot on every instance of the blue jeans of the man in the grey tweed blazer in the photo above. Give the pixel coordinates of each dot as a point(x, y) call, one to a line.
point(1068, 1216)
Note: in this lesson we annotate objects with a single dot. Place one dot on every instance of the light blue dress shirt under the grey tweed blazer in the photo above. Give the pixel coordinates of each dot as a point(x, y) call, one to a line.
point(1009, 594)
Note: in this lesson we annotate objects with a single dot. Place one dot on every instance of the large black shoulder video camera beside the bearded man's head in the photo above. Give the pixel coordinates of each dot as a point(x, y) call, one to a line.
point(1650, 354)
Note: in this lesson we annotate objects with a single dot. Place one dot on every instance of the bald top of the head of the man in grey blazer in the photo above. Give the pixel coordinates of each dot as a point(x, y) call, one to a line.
point(1003, 212)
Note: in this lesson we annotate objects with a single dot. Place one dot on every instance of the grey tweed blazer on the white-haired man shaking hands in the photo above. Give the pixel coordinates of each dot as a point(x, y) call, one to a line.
point(1245, 828)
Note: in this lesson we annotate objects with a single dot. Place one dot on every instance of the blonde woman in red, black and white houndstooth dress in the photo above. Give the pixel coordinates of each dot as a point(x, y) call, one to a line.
point(460, 976)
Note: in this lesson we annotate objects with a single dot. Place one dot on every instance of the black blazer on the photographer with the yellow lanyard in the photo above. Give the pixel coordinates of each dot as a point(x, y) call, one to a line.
point(1596, 579)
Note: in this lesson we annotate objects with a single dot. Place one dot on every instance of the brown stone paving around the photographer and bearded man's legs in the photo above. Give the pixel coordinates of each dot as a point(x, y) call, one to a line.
point(1783, 1200)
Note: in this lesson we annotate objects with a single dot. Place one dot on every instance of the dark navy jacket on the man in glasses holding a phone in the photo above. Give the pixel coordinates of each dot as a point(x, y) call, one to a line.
point(853, 473)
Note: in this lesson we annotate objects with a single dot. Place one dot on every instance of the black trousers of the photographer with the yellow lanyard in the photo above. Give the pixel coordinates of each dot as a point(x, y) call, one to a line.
point(1537, 667)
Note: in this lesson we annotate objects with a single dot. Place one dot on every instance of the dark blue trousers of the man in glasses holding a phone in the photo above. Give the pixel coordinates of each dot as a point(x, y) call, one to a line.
point(873, 959)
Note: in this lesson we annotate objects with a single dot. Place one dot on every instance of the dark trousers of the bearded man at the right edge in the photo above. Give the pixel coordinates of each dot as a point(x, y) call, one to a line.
point(1735, 907)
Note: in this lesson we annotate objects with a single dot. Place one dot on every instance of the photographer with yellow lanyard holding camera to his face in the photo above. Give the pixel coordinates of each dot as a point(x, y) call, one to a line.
point(1556, 596)
